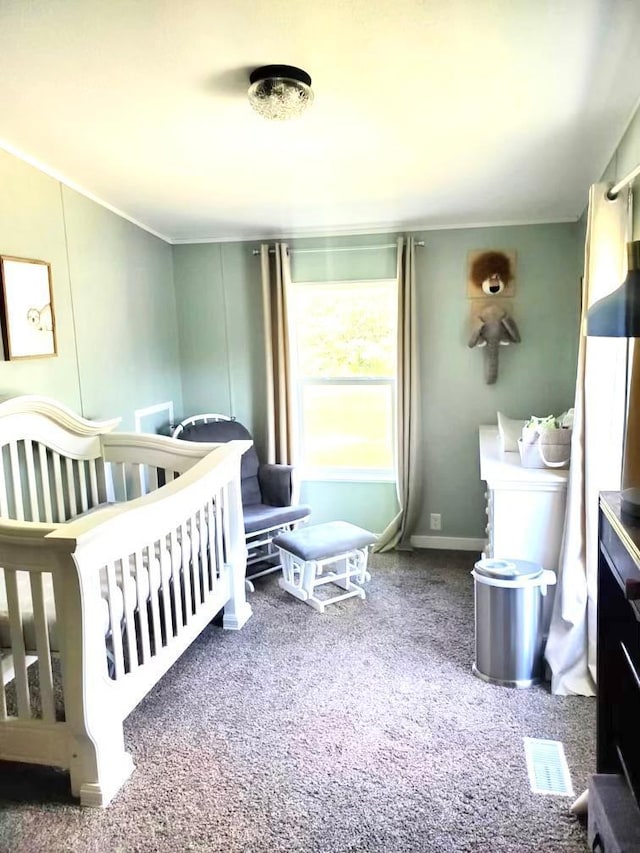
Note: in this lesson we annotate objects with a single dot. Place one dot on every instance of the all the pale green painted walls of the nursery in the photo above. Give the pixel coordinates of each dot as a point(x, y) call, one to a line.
point(140, 322)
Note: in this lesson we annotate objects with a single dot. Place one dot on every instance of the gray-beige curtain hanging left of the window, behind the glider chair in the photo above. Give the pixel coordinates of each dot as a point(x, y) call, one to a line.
point(276, 274)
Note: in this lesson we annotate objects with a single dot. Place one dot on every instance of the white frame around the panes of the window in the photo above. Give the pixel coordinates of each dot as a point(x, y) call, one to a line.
point(327, 473)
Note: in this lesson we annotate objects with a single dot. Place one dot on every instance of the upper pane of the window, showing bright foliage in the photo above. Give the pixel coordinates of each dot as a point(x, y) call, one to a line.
point(346, 330)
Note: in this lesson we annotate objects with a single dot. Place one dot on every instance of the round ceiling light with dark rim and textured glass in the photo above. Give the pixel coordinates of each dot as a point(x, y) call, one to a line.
point(280, 91)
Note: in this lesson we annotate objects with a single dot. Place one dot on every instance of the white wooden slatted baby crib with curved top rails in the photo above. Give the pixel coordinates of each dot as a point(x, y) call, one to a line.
point(117, 550)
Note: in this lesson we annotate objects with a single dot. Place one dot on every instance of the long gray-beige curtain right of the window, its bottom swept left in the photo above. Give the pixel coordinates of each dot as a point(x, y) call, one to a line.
point(408, 464)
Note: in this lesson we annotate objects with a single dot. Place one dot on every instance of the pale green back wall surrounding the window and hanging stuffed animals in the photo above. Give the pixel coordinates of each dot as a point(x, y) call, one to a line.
point(221, 344)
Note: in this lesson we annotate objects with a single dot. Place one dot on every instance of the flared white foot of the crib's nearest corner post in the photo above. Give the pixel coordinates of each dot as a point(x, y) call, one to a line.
point(99, 766)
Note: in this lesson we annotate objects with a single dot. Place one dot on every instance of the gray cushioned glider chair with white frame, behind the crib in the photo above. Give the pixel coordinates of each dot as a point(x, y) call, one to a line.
point(269, 499)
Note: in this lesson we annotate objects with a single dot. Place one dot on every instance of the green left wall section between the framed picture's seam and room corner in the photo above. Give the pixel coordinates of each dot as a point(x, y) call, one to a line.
point(125, 312)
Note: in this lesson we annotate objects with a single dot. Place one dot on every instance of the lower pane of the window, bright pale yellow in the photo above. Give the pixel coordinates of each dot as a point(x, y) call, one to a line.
point(347, 426)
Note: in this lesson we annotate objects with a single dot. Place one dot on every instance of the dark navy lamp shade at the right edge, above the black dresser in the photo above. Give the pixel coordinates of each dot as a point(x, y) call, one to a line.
point(618, 314)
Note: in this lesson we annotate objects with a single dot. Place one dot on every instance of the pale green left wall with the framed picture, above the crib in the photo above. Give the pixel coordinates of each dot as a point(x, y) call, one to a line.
point(114, 300)
